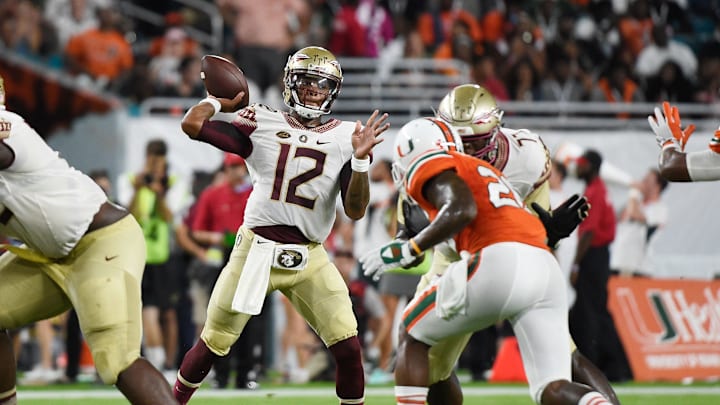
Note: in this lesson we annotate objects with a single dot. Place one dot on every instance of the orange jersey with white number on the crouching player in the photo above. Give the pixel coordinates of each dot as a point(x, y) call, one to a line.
point(501, 214)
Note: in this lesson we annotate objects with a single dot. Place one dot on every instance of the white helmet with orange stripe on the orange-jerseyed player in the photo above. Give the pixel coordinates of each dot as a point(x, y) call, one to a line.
point(418, 138)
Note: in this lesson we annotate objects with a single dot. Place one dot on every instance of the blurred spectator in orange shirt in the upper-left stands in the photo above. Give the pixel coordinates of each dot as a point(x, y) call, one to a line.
point(102, 54)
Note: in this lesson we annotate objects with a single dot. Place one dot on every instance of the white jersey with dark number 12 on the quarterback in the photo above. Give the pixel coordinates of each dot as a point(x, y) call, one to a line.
point(295, 170)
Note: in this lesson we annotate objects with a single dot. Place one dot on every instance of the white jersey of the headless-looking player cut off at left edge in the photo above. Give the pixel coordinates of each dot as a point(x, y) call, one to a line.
point(52, 203)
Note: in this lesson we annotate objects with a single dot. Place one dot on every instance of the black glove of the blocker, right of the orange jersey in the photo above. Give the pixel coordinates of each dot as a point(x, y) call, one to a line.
point(564, 219)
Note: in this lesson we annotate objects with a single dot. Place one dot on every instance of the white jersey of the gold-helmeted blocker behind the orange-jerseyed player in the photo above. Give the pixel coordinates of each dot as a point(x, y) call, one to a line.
point(523, 159)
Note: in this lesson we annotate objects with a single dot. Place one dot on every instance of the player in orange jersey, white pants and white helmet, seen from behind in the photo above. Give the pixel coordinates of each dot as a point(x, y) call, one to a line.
point(504, 270)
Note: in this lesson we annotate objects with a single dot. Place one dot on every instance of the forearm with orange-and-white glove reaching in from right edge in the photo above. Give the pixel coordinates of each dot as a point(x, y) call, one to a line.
point(674, 163)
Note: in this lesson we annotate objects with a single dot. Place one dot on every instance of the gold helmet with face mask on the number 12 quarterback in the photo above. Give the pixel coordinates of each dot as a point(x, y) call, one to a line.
point(315, 70)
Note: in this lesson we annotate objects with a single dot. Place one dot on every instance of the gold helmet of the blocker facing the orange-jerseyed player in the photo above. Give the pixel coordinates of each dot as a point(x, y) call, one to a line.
point(474, 113)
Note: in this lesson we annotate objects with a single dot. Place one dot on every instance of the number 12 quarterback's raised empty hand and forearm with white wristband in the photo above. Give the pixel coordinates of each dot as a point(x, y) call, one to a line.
point(364, 139)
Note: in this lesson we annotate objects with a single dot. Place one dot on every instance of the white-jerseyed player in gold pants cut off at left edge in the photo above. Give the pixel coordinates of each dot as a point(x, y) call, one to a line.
point(79, 251)
